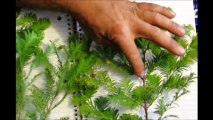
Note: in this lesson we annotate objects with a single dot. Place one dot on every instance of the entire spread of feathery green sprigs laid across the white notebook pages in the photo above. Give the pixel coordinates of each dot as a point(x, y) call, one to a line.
point(78, 75)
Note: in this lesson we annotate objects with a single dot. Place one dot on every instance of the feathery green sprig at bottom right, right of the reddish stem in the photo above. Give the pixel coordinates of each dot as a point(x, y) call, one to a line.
point(175, 81)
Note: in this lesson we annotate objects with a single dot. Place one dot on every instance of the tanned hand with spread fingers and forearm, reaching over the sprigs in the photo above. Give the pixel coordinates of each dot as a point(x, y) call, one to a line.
point(119, 22)
